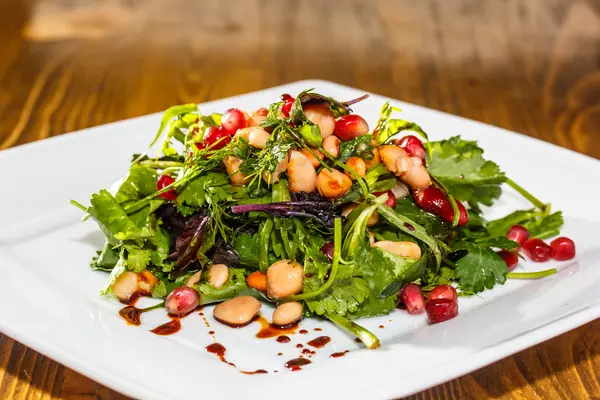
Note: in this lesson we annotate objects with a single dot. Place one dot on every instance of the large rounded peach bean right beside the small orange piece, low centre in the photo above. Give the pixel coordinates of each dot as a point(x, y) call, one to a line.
point(284, 278)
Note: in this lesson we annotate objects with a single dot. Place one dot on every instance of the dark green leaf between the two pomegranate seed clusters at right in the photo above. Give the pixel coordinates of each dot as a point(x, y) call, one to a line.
point(479, 268)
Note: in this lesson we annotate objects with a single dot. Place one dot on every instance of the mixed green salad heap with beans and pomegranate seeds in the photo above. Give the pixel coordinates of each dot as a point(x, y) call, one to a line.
point(305, 206)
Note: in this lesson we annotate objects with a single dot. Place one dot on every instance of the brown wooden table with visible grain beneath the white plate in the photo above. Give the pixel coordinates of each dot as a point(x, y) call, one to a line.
point(531, 66)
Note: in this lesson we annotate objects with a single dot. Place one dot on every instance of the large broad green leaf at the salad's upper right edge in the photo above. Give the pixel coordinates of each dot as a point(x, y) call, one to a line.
point(459, 165)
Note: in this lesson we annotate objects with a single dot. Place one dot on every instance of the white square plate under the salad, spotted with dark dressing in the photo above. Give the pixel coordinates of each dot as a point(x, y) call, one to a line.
point(50, 299)
